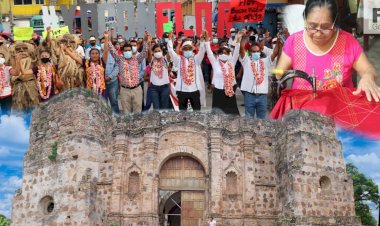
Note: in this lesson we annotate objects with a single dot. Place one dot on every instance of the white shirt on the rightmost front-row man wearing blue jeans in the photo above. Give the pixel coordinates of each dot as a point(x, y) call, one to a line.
point(248, 83)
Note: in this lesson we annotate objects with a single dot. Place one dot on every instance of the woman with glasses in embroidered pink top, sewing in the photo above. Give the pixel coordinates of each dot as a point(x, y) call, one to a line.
point(331, 53)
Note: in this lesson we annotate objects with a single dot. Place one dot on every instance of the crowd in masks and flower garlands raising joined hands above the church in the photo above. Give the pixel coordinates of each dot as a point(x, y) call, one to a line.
point(179, 71)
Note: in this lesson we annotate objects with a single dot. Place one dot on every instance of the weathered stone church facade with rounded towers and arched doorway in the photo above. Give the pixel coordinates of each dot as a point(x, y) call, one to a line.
point(179, 169)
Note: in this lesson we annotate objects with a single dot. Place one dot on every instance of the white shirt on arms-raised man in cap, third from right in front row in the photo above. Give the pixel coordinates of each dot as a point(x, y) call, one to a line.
point(197, 84)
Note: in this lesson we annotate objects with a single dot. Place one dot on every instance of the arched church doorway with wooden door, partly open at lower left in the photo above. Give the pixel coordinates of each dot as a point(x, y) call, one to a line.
point(182, 186)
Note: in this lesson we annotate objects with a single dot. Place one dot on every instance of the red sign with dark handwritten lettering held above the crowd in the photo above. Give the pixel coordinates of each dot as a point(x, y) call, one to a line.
point(247, 10)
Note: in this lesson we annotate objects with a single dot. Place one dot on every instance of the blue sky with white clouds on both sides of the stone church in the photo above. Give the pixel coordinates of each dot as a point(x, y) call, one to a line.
point(14, 140)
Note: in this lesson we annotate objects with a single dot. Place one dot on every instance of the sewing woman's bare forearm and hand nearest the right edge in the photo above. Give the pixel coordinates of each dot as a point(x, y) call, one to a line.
point(368, 75)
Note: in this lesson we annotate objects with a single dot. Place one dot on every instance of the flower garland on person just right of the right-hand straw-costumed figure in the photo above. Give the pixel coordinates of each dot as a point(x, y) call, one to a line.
point(95, 77)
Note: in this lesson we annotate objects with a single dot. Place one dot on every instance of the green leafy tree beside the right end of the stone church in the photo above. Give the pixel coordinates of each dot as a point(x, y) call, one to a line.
point(365, 190)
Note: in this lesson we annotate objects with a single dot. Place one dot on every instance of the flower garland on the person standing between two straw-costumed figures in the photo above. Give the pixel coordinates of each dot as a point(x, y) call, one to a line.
point(44, 81)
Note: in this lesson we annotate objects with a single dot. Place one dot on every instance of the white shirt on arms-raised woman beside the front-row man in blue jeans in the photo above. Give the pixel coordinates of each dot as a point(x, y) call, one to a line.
point(218, 78)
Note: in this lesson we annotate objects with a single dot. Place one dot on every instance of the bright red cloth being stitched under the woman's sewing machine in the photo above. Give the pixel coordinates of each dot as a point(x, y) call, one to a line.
point(351, 112)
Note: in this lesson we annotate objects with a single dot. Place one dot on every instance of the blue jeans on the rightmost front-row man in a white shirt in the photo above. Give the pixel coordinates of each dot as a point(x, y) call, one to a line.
point(255, 104)
